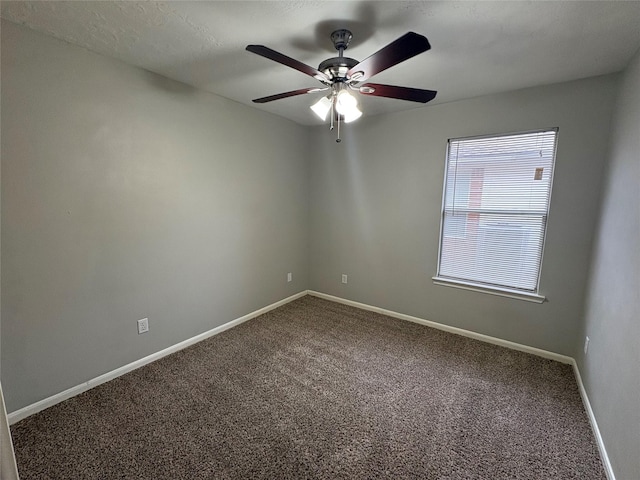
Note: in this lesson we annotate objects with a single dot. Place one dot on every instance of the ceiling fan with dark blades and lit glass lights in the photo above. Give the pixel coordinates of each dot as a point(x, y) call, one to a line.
point(340, 75)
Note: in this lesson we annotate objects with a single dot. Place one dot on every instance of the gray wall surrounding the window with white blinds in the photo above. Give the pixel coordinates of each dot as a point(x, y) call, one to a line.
point(376, 197)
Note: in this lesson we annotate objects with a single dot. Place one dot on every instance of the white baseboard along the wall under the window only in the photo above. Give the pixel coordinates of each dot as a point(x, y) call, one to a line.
point(458, 331)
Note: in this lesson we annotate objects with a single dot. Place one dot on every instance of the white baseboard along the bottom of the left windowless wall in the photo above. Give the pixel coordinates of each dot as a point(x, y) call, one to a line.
point(24, 412)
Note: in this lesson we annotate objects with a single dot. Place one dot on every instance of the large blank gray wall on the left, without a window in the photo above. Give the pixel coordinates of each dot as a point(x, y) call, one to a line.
point(125, 196)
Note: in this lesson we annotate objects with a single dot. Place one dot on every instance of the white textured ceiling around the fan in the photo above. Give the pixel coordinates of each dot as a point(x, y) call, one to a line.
point(478, 48)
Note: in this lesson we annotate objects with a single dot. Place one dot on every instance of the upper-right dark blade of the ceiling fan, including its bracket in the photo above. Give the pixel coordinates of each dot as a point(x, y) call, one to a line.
point(407, 46)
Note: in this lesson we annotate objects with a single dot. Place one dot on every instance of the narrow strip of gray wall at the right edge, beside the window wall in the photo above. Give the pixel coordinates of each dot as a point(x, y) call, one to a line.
point(611, 369)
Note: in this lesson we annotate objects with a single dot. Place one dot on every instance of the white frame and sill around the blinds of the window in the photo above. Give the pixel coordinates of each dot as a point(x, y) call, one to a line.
point(521, 294)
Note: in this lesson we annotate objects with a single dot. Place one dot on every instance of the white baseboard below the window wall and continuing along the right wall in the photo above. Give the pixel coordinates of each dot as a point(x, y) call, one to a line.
point(503, 343)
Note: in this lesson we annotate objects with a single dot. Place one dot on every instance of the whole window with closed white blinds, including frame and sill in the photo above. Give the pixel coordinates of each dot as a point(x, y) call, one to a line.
point(494, 212)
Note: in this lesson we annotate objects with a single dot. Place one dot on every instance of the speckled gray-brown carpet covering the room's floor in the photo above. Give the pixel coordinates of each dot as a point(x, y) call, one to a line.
point(316, 389)
